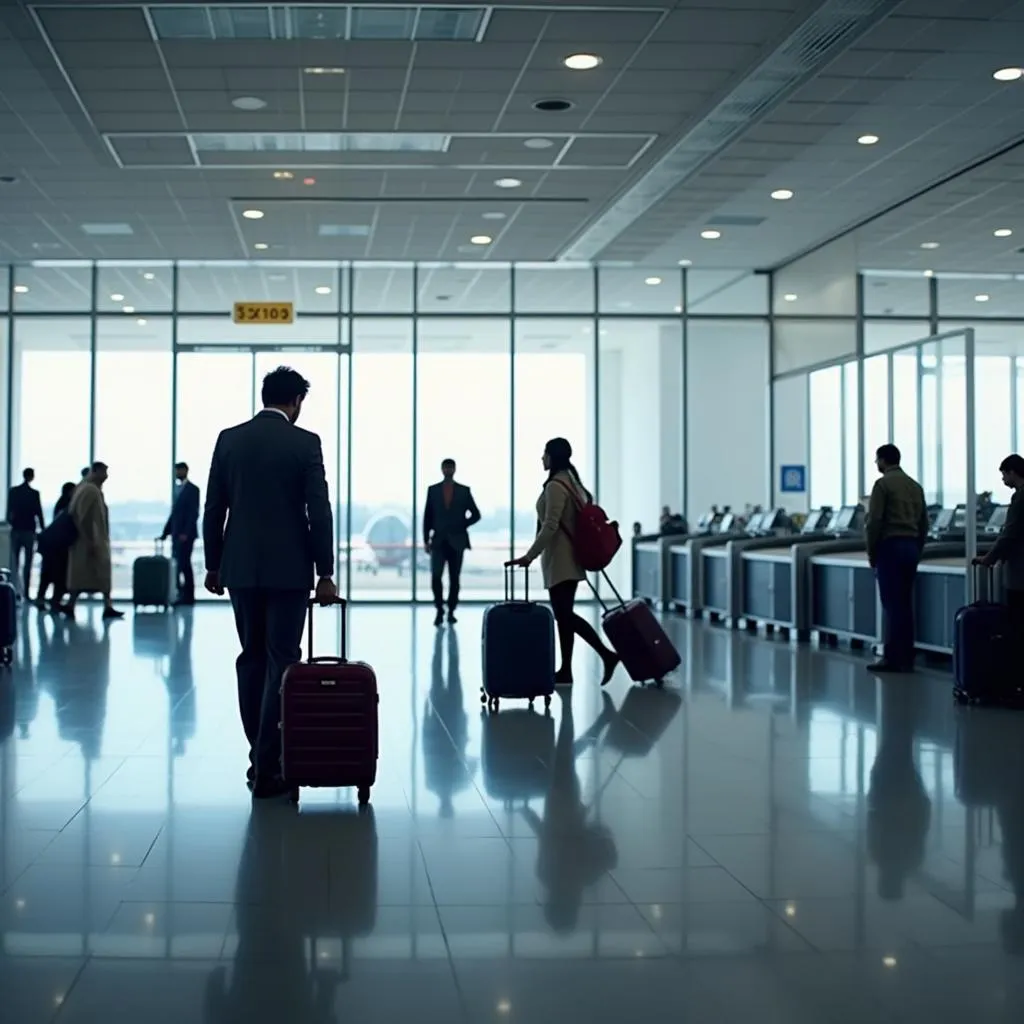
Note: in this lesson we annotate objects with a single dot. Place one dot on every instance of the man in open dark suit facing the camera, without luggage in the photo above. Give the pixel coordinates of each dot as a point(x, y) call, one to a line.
point(447, 518)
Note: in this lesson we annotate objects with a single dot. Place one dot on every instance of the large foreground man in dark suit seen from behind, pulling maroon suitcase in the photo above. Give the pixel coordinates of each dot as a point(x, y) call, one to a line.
point(268, 482)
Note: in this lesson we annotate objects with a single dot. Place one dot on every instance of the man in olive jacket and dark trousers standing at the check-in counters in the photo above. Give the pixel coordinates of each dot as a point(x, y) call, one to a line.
point(895, 531)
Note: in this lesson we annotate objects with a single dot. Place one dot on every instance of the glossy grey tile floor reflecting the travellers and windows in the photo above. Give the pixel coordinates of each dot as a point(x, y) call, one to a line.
point(779, 839)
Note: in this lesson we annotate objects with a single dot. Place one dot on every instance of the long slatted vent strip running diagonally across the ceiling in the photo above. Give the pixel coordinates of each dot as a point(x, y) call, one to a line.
point(832, 29)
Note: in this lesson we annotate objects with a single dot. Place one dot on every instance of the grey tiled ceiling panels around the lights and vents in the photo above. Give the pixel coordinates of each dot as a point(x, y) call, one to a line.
point(83, 88)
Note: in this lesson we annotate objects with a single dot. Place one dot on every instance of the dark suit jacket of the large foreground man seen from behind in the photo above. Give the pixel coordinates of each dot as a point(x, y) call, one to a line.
point(268, 482)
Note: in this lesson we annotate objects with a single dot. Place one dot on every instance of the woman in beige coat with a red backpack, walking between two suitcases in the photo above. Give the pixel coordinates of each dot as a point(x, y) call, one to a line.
point(557, 513)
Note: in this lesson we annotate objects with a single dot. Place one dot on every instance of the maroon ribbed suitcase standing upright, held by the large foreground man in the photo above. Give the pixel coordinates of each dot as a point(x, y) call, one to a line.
point(329, 730)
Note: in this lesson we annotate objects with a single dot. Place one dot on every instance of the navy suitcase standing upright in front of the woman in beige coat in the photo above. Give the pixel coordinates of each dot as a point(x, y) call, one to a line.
point(519, 649)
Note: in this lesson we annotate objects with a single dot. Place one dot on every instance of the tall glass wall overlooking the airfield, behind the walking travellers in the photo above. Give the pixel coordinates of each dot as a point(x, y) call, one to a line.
point(142, 365)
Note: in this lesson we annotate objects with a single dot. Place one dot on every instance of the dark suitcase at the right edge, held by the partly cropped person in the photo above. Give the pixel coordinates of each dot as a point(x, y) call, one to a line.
point(985, 660)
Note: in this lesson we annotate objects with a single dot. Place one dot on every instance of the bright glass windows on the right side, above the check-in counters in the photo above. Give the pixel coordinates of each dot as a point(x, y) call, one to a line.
point(914, 391)
